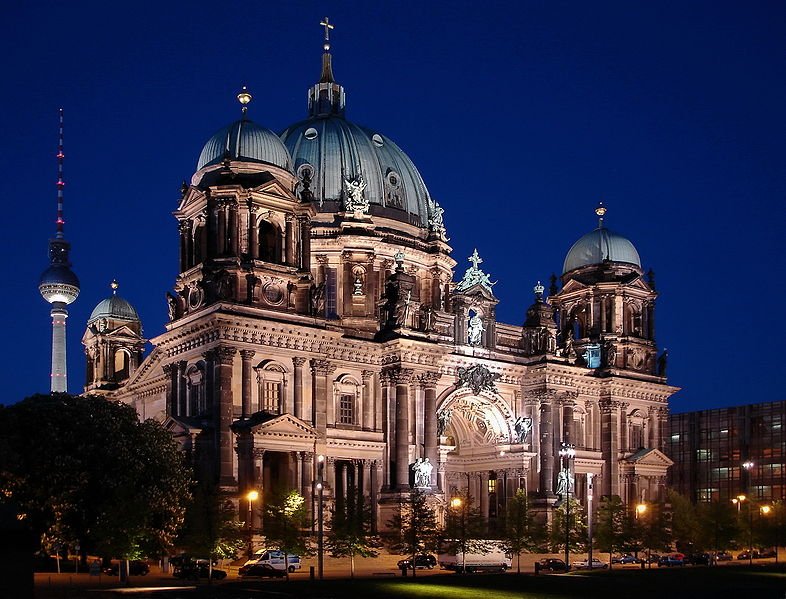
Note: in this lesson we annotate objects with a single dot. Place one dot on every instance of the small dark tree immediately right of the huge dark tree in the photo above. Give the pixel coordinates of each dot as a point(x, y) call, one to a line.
point(211, 527)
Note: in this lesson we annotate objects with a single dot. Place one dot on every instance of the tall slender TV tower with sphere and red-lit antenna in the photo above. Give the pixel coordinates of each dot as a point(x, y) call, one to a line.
point(59, 285)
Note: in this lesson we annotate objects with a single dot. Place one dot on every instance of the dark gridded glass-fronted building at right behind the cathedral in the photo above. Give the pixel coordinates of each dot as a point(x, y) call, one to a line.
point(709, 447)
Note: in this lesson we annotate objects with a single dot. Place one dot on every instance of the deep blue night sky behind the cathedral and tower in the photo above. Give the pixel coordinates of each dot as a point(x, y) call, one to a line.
point(520, 116)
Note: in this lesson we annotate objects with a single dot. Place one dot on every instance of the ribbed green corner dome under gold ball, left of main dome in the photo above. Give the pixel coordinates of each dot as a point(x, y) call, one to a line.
point(246, 141)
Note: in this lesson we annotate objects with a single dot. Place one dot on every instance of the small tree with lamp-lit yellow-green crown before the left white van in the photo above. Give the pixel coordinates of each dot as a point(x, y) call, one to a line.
point(286, 521)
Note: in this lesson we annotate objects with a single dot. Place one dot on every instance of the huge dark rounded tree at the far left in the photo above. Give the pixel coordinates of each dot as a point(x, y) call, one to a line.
point(86, 472)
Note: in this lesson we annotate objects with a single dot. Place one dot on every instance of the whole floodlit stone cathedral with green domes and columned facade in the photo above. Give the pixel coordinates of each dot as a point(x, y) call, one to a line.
point(317, 334)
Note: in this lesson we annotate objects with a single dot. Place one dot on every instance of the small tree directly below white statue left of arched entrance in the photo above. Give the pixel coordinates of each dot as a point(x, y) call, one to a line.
point(416, 524)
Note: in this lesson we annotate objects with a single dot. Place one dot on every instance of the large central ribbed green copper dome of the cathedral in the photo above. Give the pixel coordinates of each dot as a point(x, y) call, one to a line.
point(334, 149)
